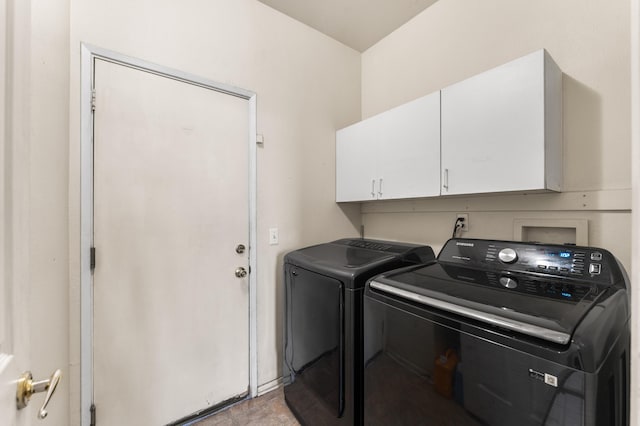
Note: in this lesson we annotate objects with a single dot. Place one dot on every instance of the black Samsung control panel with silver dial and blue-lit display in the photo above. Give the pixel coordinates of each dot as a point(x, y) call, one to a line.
point(584, 263)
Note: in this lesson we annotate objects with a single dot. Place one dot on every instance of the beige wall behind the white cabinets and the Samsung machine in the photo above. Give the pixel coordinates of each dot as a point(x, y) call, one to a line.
point(455, 39)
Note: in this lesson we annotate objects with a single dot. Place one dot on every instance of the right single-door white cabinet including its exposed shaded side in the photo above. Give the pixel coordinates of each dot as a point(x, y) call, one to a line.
point(502, 129)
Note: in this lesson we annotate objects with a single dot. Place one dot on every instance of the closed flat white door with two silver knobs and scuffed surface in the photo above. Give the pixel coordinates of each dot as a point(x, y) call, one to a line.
point(171, 318)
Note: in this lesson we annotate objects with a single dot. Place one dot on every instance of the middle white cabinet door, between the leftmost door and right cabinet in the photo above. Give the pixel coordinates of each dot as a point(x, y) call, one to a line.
point(409, 150)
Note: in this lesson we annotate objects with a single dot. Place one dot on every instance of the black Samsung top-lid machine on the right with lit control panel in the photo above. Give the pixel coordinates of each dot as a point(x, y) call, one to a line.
point(499, 333)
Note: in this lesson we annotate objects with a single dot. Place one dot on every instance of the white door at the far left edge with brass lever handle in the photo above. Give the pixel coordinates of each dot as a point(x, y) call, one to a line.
point(13, 288)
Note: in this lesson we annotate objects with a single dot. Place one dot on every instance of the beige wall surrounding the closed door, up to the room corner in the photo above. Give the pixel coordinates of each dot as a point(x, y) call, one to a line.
point(307, 85)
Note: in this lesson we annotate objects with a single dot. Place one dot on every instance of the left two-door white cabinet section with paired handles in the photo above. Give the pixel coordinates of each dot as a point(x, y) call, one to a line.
point(395, 154)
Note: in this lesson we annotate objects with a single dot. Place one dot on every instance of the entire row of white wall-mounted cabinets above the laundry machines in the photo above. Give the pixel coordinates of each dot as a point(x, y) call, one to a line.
point(498, 131)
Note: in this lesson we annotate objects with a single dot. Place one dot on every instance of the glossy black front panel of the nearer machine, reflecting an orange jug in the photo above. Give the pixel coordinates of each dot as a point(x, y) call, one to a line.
point(425, 368)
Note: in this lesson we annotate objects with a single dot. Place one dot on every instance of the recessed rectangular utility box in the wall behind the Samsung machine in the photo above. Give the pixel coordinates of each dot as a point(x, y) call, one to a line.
point(552, 231)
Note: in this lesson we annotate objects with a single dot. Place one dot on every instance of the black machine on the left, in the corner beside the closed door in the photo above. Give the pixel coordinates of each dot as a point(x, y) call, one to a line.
point(324, 285)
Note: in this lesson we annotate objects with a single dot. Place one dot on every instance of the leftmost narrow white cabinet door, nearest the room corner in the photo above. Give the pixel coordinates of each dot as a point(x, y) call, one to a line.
point(356, 146)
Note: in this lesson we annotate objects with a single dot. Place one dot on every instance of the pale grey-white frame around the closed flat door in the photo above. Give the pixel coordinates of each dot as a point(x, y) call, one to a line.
point(89, 54)
